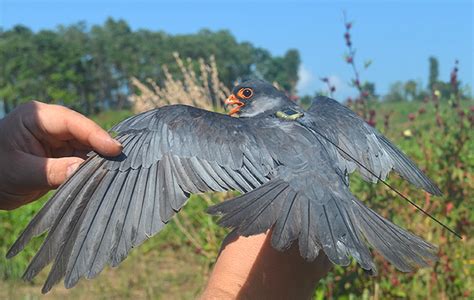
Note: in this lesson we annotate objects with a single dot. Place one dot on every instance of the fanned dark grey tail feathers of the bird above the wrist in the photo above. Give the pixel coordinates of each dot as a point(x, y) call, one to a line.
point(340, 227)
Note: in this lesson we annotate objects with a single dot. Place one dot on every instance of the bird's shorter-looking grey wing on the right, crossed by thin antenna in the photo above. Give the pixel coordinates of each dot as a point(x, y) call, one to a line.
point(364, 143)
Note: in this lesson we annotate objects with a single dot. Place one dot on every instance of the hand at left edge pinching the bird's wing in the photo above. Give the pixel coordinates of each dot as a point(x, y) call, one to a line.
point(40, 147)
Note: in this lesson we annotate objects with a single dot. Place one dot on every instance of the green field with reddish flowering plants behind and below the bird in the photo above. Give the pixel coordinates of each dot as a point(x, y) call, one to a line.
point(176, 263)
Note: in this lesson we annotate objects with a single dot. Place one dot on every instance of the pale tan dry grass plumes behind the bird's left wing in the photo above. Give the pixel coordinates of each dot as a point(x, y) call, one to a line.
point(203, 90)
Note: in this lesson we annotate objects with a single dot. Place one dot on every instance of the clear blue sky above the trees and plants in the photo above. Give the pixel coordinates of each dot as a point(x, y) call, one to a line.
point(398, 36)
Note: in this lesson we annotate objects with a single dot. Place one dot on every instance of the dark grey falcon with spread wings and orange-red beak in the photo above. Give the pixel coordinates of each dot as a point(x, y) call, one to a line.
point(291, 166)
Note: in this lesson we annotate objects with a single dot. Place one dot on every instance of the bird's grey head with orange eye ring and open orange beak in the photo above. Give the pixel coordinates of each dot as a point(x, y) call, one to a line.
point(253, 97)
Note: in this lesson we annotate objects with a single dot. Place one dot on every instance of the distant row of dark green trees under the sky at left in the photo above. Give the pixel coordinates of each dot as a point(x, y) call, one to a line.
point(89, 69)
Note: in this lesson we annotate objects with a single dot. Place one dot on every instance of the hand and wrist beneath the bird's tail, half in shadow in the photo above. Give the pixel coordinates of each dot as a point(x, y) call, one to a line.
point(250, 268)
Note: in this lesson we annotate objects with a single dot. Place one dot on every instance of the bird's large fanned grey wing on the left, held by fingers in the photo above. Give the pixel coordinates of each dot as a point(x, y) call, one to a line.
point(113, 204)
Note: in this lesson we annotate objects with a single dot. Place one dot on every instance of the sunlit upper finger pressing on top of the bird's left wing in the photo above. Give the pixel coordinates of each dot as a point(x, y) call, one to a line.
point(65, 124)
